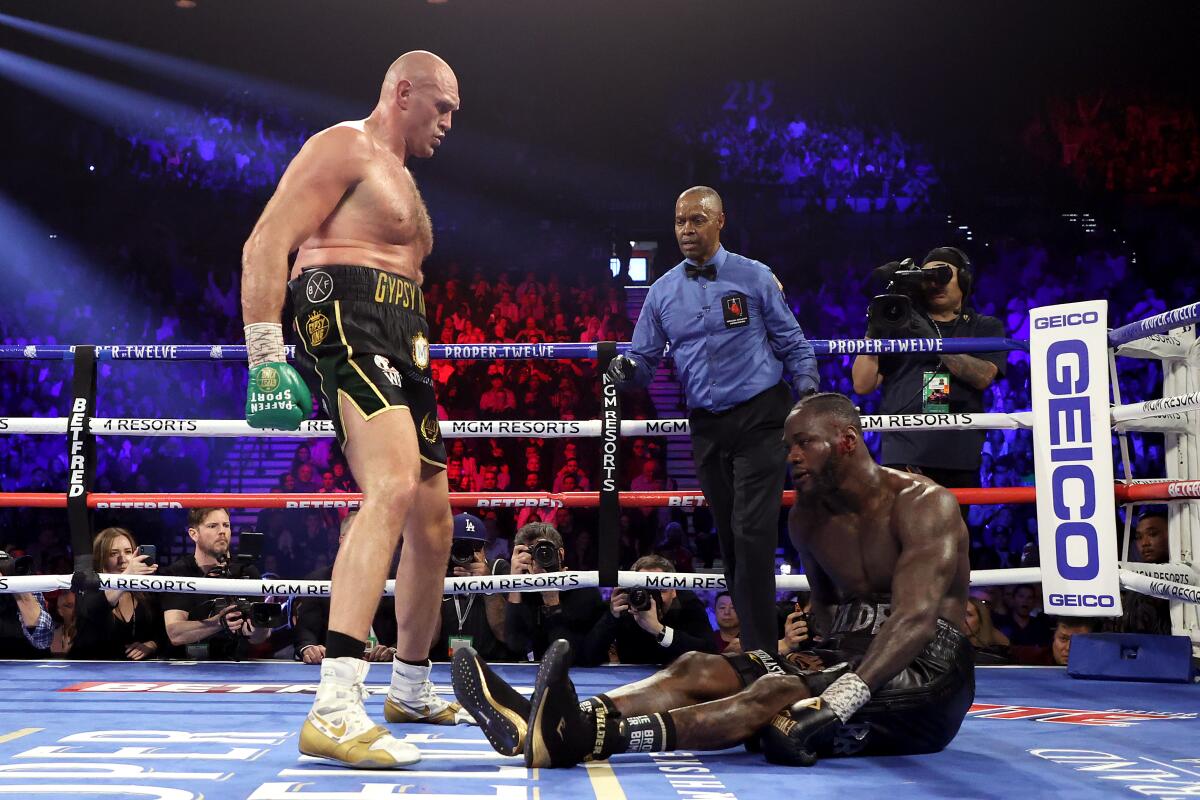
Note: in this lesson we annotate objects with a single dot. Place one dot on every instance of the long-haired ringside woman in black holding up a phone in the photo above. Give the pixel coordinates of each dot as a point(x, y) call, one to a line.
point(116, 624)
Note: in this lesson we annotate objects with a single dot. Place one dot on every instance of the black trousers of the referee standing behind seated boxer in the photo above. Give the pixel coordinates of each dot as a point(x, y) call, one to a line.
point(741, 462)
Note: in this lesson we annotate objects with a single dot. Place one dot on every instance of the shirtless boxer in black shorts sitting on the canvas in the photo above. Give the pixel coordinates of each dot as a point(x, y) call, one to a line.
point(886, 556)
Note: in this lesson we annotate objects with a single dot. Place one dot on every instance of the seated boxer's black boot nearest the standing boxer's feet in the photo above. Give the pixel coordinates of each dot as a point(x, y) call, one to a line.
point(501, 712)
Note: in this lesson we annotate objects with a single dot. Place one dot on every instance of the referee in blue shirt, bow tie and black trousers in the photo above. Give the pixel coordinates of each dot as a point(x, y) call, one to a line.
point(731, 336)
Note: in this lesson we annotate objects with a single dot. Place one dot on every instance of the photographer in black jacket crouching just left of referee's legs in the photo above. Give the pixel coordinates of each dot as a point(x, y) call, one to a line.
point(650, 627)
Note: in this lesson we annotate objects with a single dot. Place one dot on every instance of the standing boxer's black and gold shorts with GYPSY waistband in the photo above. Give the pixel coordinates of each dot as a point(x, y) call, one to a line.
point(365, 334)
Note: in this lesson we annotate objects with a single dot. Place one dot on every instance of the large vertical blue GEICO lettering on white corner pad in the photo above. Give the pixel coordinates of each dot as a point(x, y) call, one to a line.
point(1072, 483)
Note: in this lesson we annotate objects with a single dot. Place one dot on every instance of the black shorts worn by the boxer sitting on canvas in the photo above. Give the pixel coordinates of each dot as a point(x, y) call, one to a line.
point(919, 712)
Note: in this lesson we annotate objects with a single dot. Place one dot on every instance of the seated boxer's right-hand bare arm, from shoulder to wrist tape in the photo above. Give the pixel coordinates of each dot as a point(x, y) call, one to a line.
point(932, 537)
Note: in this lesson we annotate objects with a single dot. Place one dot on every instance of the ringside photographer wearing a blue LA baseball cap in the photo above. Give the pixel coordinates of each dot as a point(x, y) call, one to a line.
point(473, 619)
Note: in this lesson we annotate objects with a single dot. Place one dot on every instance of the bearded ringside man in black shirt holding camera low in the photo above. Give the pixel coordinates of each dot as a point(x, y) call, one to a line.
point(200, 625)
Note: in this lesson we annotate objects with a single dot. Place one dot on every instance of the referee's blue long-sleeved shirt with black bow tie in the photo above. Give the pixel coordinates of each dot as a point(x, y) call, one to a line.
point(730, 338)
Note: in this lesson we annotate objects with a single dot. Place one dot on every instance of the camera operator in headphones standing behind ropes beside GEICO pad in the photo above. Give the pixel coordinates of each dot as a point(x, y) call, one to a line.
point(928, 383)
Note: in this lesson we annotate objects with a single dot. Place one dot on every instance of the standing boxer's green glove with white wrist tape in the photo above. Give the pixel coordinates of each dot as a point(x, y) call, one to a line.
point(277, 396)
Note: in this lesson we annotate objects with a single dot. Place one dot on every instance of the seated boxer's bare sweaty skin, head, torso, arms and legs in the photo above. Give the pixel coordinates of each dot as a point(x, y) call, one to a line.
point(861, 530)
